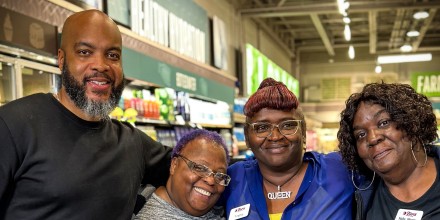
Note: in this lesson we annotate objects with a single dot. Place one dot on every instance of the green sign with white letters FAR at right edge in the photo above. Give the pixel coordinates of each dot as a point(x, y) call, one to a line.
point(427, 83)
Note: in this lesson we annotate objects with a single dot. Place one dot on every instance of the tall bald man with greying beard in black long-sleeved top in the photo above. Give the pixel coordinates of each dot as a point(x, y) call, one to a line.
point(61, 156)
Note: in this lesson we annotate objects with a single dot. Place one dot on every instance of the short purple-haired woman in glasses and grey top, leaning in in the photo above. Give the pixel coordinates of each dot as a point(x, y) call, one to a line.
point(197, 178)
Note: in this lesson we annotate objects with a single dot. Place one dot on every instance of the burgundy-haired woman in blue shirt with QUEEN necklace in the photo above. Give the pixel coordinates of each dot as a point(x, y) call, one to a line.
point(282, 181)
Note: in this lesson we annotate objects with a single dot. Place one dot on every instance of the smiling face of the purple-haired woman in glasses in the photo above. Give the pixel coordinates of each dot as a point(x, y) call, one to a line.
point(191, 193)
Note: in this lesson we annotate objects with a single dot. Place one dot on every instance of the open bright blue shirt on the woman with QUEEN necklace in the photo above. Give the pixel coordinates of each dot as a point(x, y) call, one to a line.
point(325, 193)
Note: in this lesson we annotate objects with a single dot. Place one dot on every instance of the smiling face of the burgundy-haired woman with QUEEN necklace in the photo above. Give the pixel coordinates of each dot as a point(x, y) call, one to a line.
point(276, 151)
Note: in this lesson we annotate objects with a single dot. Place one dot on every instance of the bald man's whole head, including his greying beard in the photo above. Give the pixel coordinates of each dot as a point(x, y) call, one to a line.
point(91, 64)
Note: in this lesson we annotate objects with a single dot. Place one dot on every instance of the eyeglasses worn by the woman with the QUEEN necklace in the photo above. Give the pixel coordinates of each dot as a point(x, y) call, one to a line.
point(265, 129)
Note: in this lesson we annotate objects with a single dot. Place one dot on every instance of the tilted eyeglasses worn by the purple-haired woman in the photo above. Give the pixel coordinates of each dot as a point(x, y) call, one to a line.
point(204, 171)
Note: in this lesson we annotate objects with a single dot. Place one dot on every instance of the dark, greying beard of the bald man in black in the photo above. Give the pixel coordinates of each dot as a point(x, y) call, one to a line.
point(77, 93)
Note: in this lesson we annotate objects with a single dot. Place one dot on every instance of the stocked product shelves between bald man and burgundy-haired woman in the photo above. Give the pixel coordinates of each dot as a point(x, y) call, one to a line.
point(167, 115)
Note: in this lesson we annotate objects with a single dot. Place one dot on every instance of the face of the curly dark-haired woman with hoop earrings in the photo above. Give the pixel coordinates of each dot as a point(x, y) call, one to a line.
point(382, 147)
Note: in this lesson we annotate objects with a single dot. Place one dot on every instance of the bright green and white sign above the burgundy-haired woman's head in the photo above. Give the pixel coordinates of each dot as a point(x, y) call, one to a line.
point(259, 67)
